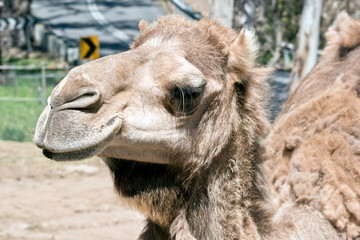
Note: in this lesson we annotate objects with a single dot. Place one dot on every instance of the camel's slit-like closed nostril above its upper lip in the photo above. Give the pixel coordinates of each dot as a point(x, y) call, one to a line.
point(85, 99)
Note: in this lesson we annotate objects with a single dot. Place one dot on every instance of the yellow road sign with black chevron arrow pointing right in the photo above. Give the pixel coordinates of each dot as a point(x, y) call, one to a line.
point(89, 48)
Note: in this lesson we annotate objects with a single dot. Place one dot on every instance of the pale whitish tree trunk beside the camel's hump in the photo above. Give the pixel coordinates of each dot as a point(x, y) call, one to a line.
point(307, 43)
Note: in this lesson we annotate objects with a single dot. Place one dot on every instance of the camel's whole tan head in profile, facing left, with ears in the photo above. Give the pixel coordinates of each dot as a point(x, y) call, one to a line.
point(180, 91)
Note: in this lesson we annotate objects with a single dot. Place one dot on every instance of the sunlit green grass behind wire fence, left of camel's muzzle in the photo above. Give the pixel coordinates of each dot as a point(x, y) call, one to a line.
point(18, 118)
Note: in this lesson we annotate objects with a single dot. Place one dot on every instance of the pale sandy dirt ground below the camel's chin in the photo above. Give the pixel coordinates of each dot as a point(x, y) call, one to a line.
point(42, 199)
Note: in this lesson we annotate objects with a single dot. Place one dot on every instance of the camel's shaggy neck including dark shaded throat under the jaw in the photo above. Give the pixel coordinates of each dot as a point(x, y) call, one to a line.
point(217, 202)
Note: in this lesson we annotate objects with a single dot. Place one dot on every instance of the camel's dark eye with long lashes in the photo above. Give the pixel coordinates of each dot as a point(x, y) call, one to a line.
point(185, 100)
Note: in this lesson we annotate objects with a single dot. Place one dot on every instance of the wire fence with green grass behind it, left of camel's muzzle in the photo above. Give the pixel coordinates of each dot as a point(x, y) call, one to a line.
point(23, 95)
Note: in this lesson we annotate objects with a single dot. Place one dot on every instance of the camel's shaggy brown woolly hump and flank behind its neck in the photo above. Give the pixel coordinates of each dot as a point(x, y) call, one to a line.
point(313, 151)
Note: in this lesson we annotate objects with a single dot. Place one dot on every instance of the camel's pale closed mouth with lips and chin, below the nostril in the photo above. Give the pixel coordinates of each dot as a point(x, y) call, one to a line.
point(77, 142)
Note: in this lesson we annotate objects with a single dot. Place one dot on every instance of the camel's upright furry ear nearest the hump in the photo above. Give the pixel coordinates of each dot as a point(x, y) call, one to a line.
point(243, 52)
